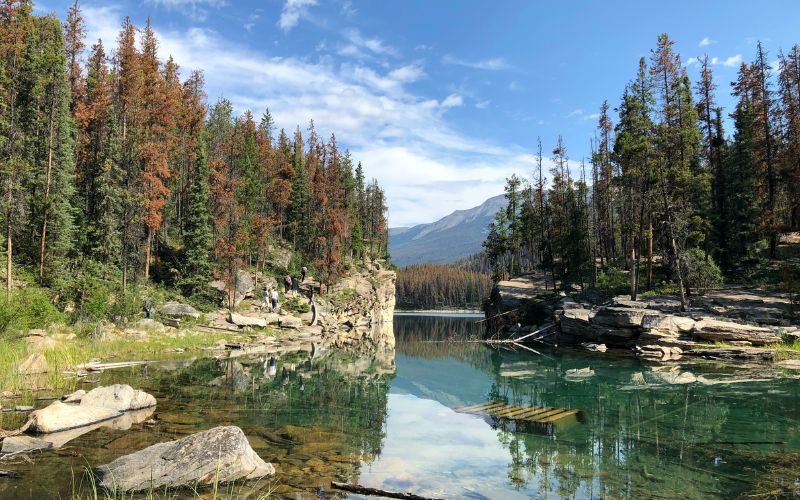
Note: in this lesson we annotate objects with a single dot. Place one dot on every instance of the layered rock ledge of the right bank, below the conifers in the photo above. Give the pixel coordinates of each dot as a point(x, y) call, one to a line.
point(726, 324)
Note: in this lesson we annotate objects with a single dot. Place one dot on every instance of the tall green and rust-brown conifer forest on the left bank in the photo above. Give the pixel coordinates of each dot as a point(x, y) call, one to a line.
point(115, 172)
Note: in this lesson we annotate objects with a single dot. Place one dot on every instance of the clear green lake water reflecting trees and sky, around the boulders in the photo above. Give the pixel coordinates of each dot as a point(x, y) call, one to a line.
point(386, 420)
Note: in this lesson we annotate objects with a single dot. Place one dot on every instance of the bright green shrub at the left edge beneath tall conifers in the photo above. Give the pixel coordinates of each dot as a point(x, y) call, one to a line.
point(27, 308)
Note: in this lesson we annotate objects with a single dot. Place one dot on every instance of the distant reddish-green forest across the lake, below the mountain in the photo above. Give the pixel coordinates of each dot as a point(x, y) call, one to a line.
point(436, 286)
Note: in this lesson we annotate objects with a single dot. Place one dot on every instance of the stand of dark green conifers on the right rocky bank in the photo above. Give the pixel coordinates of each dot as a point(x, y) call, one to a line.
point(667, 190)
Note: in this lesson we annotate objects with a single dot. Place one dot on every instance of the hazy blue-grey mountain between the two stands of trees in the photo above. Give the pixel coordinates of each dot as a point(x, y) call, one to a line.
point(453, 237)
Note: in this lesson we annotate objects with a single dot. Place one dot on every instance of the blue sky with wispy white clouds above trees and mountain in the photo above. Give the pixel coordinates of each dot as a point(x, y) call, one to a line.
point(441, 100)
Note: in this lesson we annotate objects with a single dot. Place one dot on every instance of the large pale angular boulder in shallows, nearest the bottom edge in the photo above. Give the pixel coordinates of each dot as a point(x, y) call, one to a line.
point(218, 455)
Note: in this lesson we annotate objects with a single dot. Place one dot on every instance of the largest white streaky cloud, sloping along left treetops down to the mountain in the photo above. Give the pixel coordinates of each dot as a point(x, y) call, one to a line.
point(403, 139)
